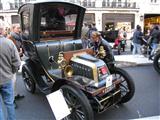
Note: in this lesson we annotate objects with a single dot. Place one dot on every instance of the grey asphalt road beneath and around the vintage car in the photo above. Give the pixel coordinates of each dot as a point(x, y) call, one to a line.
point(145, 103)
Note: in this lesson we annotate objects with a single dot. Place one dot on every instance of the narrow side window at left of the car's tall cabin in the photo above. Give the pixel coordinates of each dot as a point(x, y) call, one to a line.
point(25, 25)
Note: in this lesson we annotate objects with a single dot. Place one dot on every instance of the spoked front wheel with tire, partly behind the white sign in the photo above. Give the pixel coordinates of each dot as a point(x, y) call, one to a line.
point(78, 104)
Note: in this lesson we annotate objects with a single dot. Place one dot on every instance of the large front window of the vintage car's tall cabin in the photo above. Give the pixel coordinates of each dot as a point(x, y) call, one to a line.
point(57, 21)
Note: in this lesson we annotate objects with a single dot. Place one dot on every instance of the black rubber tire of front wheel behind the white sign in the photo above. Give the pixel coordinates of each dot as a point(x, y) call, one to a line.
point(83, 100)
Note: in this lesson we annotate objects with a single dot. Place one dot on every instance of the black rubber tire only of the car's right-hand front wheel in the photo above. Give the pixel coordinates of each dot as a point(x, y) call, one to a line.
point(130, 84)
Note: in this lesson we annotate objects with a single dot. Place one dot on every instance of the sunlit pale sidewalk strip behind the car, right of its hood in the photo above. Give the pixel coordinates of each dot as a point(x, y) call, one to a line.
point(131, 60)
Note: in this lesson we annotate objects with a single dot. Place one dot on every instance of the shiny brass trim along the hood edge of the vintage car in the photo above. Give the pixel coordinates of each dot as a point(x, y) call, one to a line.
point(89, 64)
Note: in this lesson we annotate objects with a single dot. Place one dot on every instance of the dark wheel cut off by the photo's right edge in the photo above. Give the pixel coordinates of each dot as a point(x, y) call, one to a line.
point(155, 62)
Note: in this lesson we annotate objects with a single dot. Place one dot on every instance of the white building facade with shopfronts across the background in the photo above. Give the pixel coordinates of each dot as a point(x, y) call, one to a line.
point(107, 14)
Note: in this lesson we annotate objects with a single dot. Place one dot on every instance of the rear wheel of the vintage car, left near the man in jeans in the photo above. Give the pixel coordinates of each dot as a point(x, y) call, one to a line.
point(31, 88)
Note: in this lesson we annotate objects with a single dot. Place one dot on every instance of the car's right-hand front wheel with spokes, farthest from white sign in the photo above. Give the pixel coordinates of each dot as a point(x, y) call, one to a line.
point(127, 86)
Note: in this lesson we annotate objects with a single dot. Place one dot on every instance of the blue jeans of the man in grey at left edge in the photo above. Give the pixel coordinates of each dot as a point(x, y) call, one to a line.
point(6, 91)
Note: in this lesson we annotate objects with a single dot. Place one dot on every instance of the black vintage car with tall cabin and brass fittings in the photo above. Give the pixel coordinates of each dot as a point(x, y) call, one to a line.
point(51, 35)
